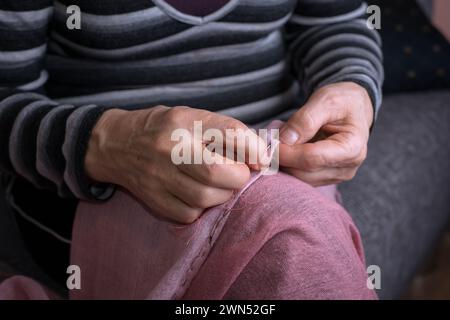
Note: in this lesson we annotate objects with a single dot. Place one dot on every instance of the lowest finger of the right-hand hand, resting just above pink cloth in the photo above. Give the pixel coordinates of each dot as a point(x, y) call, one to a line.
point(323, 177)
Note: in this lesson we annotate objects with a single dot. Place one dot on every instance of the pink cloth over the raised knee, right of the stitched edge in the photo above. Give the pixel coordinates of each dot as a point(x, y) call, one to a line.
point(284, 240)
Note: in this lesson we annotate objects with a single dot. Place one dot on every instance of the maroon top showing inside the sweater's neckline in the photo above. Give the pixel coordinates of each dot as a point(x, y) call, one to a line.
point(199, 8)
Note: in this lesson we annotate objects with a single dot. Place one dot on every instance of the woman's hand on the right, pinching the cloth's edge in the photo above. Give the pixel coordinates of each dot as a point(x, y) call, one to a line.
point(325, 142)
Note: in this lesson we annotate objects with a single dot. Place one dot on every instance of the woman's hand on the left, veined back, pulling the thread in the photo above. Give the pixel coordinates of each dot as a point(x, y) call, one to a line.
point(133, 149)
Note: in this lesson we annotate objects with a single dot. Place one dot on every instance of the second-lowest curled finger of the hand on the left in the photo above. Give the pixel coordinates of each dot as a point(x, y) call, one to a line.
point(196, 194)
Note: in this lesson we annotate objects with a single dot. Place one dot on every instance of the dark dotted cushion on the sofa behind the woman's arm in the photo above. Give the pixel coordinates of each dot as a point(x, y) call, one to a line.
point(417, 55)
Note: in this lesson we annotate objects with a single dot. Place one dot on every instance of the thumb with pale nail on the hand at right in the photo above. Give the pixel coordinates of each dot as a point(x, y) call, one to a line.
point(306, 123)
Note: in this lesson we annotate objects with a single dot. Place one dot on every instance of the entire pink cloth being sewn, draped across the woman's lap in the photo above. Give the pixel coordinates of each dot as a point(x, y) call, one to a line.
point(278, 238)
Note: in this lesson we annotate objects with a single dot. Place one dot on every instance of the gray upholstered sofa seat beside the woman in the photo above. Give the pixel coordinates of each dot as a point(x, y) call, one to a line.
point(400, 199)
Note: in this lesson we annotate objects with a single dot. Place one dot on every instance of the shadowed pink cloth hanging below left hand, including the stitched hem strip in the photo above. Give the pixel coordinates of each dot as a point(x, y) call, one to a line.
point(123, 243)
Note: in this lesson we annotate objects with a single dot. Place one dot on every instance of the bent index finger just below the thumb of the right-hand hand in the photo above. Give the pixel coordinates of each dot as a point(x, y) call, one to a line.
point(343, 149)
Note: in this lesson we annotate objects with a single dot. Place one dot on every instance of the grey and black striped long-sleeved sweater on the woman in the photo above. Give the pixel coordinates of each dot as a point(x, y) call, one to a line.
point(249, 59)
